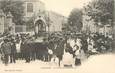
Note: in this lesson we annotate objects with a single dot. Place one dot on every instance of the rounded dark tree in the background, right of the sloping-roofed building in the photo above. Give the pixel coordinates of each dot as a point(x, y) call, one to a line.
point(75, 20)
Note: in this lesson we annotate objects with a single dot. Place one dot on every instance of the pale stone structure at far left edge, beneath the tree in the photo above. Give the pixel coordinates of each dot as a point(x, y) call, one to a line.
point(6, 23)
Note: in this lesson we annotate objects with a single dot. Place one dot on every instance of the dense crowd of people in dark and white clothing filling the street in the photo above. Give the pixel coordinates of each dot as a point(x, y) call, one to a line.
point(66, 49)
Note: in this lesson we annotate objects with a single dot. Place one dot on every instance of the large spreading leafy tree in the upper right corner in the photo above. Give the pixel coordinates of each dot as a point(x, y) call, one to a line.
point(100, 10)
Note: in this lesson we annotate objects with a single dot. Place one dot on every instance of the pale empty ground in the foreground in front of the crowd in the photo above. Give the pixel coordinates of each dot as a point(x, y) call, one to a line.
point(94, 64)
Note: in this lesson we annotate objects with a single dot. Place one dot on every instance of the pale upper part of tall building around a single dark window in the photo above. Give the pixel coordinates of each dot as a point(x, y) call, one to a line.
point(32, 8)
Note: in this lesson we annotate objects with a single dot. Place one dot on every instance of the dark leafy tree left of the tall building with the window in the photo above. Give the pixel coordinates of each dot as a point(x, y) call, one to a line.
point(15, 7)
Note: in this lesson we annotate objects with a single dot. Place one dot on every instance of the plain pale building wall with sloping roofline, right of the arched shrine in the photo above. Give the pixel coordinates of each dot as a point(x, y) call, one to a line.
point(56, 21)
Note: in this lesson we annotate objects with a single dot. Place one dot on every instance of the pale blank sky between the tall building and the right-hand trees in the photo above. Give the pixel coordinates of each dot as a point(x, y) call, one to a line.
point(64, 7)
